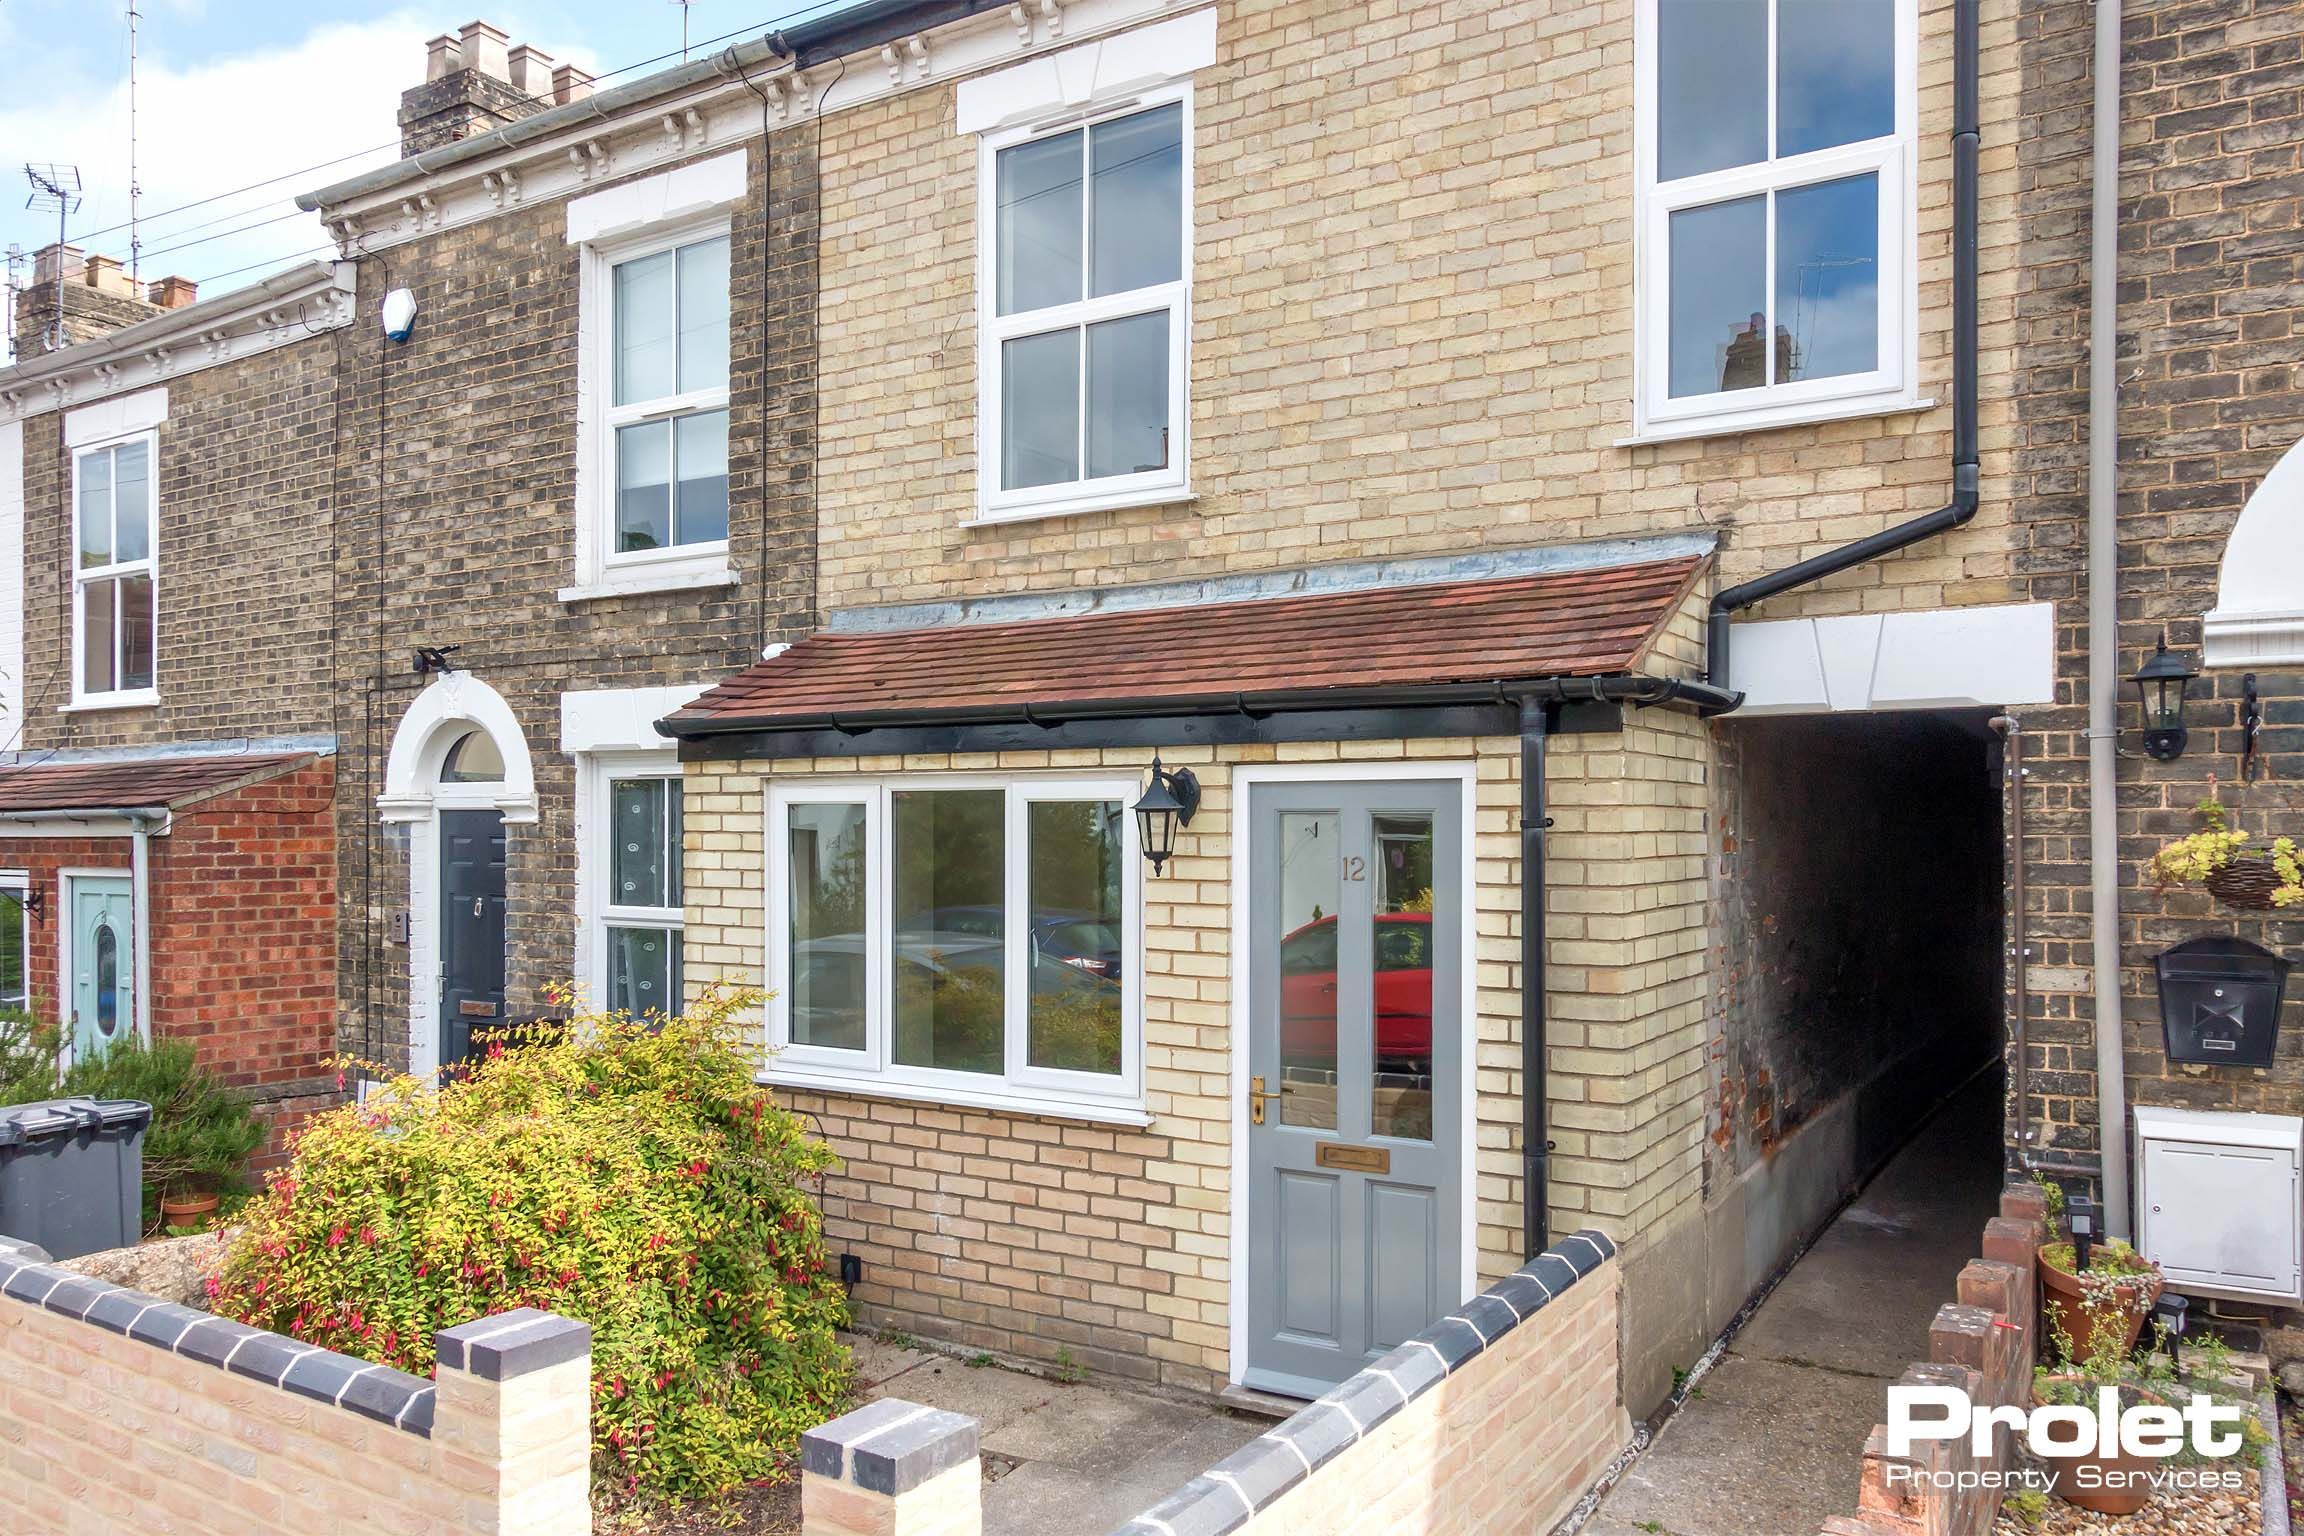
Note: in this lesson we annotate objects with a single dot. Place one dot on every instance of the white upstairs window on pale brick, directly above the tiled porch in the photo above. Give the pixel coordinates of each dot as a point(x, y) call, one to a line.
point(1086, 310)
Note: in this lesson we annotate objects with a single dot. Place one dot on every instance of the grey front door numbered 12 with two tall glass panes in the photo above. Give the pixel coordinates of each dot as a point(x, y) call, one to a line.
point(1356, 1074)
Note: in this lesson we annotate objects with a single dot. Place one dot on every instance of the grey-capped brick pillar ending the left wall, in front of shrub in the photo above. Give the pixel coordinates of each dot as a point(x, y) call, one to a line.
point(515, 1422)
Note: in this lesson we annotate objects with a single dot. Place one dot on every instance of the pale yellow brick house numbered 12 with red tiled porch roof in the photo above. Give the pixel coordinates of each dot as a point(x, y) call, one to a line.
point(1321, 759)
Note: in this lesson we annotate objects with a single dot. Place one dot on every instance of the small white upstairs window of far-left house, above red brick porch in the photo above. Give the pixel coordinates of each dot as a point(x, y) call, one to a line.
point(114, 570)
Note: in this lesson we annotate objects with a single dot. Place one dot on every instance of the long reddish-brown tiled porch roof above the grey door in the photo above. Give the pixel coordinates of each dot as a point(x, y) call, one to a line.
point(1579, 623)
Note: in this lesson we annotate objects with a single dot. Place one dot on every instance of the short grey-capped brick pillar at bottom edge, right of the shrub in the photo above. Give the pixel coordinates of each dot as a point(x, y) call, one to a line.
point(893, 1470)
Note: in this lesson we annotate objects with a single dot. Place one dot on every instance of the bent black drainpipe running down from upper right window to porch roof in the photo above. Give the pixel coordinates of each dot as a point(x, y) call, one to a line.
point(1964, 379)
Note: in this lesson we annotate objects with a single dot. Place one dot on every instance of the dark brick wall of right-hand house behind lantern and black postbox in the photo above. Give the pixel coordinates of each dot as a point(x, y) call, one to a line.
point(2211, 291)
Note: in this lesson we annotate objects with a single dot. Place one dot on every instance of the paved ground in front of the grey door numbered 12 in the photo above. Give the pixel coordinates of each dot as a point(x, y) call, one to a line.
point(1061, 1461)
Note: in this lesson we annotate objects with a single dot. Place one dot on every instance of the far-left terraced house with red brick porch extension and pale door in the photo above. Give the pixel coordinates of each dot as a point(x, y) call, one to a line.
point(167, 754)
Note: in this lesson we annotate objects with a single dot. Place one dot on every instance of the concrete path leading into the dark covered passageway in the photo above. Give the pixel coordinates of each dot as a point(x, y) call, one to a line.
point(1775, 1443)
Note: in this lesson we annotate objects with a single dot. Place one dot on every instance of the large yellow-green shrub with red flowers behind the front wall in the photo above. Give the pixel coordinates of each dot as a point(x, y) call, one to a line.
point(630, 1176)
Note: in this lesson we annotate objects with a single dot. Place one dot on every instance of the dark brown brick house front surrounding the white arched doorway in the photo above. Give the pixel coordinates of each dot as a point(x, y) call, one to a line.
point(473, 538)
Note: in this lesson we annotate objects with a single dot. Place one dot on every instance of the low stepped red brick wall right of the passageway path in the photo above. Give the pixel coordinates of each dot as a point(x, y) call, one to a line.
point(1985, 1344)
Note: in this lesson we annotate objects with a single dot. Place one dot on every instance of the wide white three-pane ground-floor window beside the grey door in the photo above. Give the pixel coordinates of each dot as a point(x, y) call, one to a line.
point(960, 938)
